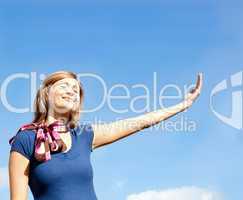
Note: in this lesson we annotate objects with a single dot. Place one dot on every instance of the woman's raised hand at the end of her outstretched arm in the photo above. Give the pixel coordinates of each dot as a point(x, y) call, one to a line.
point(194, 93)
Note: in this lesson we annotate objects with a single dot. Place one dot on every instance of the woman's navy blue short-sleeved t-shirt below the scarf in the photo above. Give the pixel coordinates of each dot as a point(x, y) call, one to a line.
point(67, 176)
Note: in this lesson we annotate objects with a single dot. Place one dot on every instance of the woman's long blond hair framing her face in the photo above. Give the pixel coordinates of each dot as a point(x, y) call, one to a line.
point(41, 104)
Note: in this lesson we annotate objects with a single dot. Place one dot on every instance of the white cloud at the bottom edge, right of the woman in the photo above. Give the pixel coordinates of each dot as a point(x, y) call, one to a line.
point(183, 193)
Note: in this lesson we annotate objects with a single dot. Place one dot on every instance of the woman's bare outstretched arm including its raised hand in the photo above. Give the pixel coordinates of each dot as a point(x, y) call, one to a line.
point(108, 133)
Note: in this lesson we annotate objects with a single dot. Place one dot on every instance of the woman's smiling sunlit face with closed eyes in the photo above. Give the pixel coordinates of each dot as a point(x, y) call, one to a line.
point(64, 95)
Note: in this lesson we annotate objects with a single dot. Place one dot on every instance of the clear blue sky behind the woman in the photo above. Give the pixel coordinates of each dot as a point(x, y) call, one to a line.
point(125, 42)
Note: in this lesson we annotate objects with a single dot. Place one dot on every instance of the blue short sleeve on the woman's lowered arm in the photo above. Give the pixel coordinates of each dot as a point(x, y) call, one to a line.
point(23, 143)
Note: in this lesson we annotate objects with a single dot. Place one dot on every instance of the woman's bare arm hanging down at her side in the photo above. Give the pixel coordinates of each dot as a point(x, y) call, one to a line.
point(18, 176)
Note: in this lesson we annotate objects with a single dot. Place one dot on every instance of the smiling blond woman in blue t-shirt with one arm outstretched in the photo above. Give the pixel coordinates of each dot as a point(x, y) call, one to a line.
point(52, 154)
